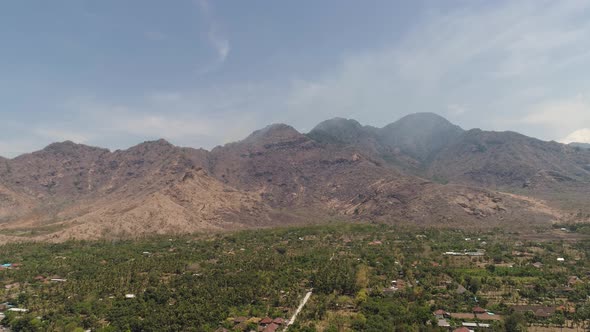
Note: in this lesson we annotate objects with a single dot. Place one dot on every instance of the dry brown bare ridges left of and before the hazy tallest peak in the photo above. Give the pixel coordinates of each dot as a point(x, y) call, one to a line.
point(275, 176)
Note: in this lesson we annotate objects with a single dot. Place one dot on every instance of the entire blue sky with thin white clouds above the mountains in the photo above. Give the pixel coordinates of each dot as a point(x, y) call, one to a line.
point(202, 73)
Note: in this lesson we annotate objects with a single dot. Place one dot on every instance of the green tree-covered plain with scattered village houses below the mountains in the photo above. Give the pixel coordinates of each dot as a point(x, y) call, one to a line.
point(364, 278)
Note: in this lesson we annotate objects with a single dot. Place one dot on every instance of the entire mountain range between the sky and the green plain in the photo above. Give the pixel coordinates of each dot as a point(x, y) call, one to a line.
point(421, 169)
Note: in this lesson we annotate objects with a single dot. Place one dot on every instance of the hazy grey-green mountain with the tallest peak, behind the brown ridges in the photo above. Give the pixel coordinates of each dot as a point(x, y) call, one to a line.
point(429, 146)
